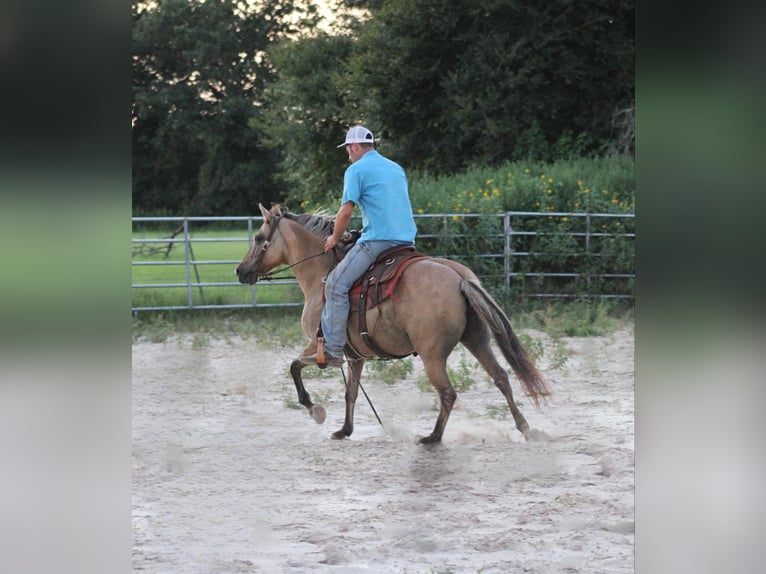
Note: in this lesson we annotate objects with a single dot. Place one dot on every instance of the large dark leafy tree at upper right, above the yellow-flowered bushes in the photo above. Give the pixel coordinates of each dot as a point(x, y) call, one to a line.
point(457, 82)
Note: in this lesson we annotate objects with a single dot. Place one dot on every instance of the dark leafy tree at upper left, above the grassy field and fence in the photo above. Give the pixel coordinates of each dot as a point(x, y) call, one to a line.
point(199, 72)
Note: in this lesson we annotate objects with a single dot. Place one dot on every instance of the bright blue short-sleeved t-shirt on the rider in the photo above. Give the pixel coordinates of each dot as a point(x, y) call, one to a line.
point(379, 187)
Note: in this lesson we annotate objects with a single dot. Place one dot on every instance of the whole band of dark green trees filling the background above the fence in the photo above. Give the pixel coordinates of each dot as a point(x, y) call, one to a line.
point(236, 103)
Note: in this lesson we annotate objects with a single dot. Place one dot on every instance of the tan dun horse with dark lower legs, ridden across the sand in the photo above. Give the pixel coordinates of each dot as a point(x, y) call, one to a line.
point(436, 304)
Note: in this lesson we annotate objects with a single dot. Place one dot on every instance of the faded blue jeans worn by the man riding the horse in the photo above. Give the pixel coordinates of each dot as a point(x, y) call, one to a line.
point(339, 283)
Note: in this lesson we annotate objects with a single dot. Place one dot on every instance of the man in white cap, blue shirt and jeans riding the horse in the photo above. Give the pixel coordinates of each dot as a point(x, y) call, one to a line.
point(379, 187)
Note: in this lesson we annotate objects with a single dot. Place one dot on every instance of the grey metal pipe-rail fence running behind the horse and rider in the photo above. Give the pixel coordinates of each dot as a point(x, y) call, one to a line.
point(189, 262)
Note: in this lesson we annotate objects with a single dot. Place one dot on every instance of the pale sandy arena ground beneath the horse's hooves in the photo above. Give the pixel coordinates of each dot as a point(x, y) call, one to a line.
point(229, 478)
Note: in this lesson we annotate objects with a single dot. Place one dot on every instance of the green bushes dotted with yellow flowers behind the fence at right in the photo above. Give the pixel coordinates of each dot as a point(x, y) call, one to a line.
point(599, 251)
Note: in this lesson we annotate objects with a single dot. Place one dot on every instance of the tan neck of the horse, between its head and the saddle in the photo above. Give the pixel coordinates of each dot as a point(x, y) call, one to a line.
point(309, 267)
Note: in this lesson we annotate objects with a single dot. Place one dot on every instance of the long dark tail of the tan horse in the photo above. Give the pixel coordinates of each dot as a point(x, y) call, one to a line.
point(495, 318)
